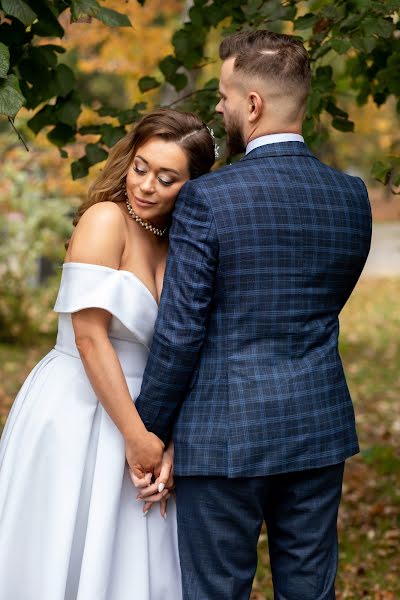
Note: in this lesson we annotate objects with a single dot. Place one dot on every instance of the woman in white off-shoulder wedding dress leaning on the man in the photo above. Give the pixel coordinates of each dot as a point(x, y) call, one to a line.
point(70, 527)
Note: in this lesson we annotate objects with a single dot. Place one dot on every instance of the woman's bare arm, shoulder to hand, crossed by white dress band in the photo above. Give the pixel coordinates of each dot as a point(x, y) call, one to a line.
point(99, 239)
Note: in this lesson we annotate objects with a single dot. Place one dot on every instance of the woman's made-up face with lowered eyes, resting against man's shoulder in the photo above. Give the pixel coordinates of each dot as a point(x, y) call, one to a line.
point(157, 173)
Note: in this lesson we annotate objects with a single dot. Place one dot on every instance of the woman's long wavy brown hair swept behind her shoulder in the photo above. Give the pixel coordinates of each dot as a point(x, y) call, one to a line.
point(185, 129)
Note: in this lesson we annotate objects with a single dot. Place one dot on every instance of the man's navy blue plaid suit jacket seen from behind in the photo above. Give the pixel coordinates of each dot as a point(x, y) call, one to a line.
point(244, 365)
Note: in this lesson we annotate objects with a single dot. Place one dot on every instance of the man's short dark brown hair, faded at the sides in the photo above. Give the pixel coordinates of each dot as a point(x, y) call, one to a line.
point(269, 55)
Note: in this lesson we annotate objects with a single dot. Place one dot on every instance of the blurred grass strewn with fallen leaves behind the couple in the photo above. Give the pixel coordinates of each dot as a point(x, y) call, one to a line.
point(369, 519)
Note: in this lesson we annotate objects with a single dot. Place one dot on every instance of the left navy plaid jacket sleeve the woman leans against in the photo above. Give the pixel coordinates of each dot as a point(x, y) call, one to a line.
point(185, 302)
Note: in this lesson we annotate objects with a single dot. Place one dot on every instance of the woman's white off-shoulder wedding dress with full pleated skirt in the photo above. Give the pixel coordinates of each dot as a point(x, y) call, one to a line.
point(70, 528)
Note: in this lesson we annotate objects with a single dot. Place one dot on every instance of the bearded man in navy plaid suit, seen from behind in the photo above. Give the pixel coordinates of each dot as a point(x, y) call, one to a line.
point(244, 369)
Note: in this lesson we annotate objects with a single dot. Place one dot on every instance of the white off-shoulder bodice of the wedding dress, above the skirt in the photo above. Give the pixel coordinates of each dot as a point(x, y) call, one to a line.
point(123, 294)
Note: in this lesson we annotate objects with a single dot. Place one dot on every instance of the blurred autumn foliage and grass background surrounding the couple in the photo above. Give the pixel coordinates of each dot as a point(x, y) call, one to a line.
point(119, 73)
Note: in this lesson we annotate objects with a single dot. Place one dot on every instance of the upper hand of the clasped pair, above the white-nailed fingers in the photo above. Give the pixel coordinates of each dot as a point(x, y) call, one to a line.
point(144, 454)
